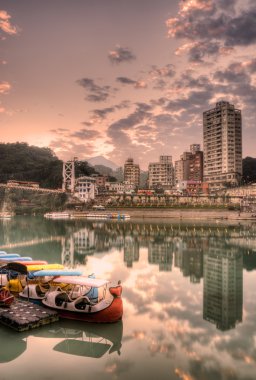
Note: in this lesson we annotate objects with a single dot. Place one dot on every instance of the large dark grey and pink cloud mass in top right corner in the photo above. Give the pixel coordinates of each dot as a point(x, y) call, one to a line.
point(213, 26)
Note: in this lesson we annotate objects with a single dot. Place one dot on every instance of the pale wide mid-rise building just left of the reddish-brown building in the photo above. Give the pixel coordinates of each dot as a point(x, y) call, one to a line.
point(161, 173)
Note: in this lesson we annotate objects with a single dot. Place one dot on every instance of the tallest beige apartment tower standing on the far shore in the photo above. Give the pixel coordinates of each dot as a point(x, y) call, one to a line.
point(222, 127)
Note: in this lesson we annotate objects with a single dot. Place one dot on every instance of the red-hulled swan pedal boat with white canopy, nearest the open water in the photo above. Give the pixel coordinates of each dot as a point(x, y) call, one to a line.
point(75, 304)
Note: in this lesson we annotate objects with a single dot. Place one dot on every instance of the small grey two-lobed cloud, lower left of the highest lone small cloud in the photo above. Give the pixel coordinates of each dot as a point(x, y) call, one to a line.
point(96, 93)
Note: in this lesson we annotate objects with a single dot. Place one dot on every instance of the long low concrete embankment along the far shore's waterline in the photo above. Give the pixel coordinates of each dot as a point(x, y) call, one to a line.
point(189, 214)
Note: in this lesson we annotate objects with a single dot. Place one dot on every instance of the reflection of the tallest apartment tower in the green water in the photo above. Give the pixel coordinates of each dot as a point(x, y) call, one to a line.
point(223, 286)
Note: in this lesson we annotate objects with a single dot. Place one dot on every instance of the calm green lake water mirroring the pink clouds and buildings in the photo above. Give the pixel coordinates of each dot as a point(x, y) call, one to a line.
point(189, 293)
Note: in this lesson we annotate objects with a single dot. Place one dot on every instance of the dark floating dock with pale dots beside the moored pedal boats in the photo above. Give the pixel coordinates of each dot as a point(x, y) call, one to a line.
point(24, 315)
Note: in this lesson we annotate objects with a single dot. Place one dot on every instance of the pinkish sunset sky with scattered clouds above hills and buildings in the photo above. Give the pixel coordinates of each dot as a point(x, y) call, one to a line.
point(124, 78)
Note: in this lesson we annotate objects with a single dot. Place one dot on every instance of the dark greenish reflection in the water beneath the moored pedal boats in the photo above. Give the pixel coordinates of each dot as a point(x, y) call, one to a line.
point(74, 338)
